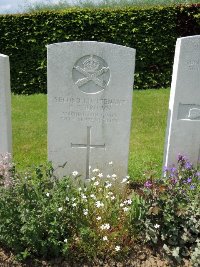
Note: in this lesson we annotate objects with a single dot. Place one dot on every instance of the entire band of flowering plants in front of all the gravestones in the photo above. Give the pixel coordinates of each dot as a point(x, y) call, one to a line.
point(84, 221)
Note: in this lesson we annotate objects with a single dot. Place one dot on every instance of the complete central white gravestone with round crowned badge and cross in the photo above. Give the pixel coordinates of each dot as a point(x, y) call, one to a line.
point(89, 106)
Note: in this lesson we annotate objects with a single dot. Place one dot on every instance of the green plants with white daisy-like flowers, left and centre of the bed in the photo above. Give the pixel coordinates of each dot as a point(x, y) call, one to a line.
point(42, 216)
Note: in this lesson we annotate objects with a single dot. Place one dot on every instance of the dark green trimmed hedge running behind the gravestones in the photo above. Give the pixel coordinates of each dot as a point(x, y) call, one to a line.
point(152, 31)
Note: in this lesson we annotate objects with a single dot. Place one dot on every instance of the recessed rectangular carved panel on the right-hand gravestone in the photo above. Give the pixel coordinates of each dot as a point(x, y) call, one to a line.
point(189, 112)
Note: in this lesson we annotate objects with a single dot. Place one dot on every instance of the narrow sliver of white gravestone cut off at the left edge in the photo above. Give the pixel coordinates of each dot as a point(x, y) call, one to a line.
point(5, 106)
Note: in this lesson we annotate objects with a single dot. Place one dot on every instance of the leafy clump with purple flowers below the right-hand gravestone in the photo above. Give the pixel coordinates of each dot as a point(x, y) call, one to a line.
point(172, 206)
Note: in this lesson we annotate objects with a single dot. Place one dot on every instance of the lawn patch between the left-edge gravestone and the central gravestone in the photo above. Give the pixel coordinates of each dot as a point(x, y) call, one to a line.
point(29, 123)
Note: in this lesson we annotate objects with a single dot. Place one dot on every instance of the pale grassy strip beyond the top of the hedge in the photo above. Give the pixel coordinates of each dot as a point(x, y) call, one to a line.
point(63, 4)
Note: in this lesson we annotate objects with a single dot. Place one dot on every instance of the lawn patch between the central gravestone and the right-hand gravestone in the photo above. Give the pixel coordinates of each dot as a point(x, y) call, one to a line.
point(149, 121)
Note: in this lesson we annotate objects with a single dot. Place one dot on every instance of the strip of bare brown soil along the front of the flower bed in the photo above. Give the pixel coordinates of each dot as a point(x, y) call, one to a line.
point(142, 259)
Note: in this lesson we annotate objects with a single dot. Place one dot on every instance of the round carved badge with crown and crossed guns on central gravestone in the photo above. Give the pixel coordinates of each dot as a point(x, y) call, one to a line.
point(91, 74)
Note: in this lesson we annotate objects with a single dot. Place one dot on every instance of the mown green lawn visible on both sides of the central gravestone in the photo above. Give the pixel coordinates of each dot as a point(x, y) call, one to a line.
point(149, 118)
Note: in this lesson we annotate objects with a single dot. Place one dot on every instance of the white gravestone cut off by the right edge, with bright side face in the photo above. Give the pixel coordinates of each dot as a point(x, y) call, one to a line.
point(183, 130)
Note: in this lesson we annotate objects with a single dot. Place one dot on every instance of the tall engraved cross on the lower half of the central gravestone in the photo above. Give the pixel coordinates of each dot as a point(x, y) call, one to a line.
point(88, 146)
